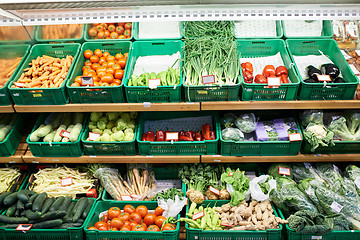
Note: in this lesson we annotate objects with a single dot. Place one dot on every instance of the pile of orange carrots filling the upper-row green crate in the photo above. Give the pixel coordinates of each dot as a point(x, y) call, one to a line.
point(44, 72)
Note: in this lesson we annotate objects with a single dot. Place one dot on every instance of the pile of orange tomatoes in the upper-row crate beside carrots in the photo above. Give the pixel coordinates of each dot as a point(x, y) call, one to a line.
point(103, 68)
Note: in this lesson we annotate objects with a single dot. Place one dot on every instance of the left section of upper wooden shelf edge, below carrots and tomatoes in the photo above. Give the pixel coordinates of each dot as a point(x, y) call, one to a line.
point(110, 107)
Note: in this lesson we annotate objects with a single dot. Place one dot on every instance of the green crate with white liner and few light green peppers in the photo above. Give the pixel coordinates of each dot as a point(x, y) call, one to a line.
point(135, 94)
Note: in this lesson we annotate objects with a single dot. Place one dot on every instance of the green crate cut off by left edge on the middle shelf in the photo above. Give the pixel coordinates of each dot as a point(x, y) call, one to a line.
point(12, 140)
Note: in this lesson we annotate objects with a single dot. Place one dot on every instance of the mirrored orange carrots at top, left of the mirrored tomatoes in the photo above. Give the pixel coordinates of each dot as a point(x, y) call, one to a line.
point(63, 31)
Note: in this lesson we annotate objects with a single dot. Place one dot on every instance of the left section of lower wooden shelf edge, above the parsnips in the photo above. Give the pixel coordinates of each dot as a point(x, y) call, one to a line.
point(29, 158)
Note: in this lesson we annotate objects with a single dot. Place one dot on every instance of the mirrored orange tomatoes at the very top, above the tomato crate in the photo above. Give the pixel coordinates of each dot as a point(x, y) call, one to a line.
point(110, 30)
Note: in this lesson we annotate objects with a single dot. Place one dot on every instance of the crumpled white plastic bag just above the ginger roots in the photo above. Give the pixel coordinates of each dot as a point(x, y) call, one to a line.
point(257, 186)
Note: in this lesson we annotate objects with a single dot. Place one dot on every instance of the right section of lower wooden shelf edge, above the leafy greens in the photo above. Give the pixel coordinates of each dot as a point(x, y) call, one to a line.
point(298, 158)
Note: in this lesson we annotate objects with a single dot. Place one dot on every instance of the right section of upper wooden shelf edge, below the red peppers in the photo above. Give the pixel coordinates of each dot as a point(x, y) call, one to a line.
point(261, 105)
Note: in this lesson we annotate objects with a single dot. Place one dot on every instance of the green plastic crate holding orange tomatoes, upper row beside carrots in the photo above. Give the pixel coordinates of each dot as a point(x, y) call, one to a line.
point(96, 94)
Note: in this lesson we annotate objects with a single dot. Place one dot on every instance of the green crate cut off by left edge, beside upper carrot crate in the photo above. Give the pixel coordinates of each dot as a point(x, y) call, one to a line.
point(12, 51)
